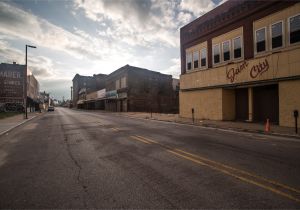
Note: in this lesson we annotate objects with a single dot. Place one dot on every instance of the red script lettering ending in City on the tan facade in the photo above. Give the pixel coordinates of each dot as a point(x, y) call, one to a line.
point(255, 71)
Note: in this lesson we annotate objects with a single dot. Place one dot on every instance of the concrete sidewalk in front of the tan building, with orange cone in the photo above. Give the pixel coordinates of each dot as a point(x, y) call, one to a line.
point(228, 125)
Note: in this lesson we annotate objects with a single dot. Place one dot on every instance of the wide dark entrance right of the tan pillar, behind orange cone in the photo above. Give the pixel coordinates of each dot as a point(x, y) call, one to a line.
point(266, 103)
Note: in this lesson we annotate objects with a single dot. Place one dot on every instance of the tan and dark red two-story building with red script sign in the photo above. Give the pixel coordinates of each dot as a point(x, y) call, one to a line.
point(240, 61)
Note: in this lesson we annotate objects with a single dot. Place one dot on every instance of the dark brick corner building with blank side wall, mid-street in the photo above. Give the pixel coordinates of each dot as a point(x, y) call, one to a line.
point(139, 90)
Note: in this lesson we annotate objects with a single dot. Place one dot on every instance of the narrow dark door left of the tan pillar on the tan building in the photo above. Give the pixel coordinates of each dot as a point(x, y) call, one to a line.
point(241, 104)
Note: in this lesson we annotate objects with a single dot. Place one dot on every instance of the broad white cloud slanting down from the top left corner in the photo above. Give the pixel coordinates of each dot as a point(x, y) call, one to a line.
point(20, 24)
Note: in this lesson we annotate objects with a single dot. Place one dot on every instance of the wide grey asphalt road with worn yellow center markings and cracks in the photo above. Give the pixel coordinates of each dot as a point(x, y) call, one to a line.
point(78, 159)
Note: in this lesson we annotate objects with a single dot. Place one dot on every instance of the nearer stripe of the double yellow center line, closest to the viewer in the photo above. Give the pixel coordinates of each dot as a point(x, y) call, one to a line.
point(236, 176)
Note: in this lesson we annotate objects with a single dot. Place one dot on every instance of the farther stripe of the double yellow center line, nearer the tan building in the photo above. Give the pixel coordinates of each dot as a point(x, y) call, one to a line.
point(242, 172)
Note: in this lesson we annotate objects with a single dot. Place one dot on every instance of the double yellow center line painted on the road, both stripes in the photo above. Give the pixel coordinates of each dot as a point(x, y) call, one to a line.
point(245, 176)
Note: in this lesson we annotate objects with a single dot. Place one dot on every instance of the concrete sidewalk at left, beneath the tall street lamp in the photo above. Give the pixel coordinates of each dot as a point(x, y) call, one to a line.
point(9, 123)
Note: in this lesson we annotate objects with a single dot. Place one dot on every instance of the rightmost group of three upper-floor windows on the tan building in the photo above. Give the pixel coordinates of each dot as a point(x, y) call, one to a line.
point(276, 31)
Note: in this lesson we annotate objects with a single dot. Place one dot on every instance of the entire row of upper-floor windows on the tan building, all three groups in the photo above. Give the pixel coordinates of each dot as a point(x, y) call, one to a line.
point(233, 49)
